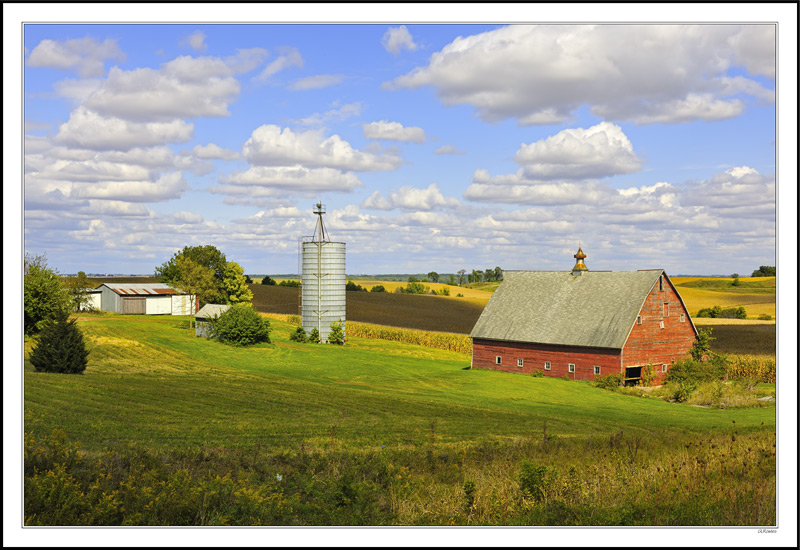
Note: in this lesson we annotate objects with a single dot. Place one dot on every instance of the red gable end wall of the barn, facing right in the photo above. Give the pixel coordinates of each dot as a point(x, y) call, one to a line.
point(648, 342)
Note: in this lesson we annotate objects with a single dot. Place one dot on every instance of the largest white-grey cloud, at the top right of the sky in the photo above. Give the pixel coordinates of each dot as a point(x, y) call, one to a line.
point(540, 74)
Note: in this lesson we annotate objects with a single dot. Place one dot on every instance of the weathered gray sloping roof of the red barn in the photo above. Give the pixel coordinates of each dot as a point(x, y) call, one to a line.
point(594, 309)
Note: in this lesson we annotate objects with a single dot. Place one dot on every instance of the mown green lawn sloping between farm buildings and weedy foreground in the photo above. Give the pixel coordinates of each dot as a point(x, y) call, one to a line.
point(151, 381)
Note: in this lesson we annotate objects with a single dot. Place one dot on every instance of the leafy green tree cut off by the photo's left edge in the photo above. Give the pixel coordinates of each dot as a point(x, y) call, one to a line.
point(45, 296)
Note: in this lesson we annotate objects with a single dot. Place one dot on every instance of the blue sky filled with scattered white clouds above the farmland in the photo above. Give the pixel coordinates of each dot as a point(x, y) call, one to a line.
point(434, 147)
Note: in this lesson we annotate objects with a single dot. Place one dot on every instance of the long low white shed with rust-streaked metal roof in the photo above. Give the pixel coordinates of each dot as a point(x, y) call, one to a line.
point(145, 299)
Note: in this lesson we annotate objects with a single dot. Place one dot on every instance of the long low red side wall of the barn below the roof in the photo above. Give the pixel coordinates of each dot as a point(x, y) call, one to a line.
point(485, 352)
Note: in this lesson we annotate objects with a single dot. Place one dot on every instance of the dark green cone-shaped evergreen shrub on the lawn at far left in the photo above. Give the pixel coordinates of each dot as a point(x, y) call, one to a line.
point(60, 348)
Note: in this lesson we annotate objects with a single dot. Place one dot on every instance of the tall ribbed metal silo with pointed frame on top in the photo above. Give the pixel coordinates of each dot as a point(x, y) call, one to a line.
point(323, 276)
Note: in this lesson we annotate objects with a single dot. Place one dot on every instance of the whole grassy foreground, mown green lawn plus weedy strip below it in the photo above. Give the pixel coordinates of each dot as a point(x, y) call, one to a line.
point(164, 428)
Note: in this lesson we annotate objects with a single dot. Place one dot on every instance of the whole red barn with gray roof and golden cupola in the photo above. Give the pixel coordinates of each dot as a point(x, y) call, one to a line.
point(583, 323)
